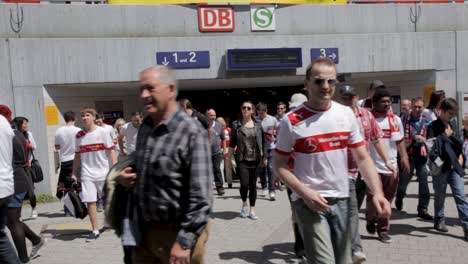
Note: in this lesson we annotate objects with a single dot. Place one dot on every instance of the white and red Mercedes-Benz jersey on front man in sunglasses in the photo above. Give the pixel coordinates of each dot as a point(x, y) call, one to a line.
point(320, 141)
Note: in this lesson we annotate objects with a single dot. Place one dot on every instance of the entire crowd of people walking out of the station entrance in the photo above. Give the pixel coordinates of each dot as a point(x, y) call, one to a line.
point(330, 151)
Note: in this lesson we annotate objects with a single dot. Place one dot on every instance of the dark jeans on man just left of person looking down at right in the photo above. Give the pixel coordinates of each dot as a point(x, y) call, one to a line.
point(422, 172)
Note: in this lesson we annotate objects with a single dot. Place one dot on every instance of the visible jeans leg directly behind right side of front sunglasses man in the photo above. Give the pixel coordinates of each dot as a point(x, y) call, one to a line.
point(356, 244)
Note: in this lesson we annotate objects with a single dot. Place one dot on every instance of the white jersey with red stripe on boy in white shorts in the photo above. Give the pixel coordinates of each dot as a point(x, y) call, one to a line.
point(93, 148)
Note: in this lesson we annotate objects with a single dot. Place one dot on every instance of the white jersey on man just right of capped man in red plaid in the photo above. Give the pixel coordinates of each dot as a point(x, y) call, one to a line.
point(390, 139)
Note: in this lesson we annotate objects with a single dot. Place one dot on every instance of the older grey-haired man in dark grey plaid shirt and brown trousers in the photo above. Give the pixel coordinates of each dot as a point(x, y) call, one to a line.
point(173, 177)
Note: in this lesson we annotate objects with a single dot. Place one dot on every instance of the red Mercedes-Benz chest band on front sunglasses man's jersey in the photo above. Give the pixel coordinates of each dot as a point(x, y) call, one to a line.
point(322, 143)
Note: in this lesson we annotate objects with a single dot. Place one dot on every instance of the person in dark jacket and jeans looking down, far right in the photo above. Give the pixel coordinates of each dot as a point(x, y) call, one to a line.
point(445, 130)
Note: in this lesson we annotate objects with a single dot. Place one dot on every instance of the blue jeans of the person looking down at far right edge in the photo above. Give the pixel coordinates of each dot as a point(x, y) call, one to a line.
point(456, 183)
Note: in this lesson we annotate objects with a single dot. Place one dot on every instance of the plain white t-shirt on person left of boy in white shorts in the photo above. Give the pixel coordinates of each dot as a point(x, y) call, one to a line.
point(65, 137)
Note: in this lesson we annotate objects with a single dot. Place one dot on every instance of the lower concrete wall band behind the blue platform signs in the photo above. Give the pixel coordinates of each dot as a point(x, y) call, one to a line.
point(52, 61)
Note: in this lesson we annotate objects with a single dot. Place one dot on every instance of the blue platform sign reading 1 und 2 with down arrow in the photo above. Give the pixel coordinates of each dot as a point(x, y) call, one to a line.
point(184, 59)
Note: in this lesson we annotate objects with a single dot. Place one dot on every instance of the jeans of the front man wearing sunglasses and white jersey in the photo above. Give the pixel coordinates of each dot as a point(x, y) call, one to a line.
point(326, 234)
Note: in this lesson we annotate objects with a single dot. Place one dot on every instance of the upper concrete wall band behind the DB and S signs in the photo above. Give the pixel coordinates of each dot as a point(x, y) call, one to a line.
point(83, 21)
